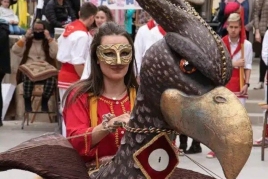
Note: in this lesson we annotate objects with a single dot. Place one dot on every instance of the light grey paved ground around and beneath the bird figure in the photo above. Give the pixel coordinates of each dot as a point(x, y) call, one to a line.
point(11, 135)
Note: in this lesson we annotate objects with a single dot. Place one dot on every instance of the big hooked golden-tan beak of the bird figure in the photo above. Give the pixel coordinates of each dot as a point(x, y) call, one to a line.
point(217, 119)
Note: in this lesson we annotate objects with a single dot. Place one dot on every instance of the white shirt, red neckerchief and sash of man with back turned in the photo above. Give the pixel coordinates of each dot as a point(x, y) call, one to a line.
point(74, 46)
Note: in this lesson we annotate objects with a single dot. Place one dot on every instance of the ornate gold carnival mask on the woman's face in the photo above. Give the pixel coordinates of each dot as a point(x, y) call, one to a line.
point(115, 54)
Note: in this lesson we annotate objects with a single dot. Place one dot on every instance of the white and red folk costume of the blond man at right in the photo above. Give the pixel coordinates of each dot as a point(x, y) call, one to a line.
point(236, 54)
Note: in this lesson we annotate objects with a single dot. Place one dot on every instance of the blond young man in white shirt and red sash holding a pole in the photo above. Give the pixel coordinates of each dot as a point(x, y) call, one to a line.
point(233, 42)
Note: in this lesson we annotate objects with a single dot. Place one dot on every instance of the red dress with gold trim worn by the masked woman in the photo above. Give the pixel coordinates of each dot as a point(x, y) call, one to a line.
point(77, 120)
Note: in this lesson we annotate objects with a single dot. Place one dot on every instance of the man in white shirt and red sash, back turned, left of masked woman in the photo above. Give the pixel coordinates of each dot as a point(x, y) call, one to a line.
point(73, 50)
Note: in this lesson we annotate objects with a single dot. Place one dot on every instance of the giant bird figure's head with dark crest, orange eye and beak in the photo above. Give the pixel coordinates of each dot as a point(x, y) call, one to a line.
point(184, 75)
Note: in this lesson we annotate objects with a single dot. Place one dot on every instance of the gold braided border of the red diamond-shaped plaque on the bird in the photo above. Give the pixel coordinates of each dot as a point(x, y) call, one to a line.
point(147, 145)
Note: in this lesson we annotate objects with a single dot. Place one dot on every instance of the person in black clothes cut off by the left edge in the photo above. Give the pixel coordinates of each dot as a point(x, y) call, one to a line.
point(4, 59)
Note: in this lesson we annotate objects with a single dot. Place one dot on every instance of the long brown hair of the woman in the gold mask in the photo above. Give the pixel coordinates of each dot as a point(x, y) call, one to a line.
point(94, 84)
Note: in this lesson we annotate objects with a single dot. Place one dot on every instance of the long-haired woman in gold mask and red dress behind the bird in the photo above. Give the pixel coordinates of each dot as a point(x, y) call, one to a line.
point(108, 95)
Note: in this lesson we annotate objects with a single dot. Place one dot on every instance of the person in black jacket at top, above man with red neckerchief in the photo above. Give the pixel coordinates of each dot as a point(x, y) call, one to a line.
point(58, 13)
